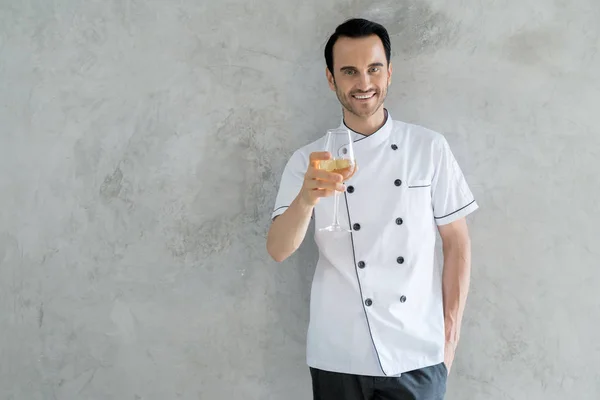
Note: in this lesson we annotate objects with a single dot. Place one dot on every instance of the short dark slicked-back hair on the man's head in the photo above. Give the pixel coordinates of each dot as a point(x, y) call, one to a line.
point(357, 28)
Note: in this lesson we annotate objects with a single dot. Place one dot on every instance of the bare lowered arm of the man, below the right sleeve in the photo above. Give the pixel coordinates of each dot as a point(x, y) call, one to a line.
point(455, 281)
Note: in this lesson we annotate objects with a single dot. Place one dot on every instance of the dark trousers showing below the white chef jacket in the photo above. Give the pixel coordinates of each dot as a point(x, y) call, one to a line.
point(427, 383)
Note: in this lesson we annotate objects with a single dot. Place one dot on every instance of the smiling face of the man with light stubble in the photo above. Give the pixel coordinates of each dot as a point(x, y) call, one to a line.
point(361, 75)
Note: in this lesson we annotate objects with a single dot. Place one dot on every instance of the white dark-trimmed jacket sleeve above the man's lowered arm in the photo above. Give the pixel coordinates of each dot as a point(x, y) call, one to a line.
point(452, 198)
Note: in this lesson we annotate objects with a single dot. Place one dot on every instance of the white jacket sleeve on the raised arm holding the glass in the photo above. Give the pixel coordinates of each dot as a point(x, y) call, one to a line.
point(291, 183)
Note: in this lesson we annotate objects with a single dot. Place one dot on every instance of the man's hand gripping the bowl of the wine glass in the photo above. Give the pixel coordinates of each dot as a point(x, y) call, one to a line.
point(319, 183)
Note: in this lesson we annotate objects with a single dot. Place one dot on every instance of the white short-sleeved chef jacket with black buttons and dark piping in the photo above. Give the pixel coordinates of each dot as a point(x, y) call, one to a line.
point(376, 299)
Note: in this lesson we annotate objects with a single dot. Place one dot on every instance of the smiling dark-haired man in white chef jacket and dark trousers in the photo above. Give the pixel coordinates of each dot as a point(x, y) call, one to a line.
point(384, 318)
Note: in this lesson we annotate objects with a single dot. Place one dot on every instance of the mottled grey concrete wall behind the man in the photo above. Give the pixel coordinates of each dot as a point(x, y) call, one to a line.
point(142, 143)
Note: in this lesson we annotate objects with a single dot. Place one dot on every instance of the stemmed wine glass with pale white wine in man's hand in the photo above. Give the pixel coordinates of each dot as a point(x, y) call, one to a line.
point(338, 142)
